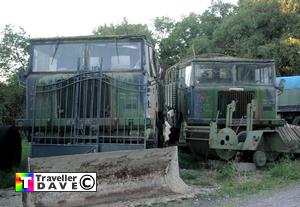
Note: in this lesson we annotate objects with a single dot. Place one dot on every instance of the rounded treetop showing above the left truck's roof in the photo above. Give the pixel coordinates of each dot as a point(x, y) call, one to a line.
point(124, 28)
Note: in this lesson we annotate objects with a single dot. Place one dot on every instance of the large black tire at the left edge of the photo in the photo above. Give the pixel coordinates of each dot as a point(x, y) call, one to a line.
point(10, 147)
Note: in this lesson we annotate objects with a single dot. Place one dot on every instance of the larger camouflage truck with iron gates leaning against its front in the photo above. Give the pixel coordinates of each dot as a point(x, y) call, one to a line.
point(90, 94)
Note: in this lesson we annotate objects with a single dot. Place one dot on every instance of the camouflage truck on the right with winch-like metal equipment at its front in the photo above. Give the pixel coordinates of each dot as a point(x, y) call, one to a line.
point(224, 105)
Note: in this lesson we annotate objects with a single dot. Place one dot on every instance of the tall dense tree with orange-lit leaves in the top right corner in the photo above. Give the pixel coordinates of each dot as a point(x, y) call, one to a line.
point(263, 29)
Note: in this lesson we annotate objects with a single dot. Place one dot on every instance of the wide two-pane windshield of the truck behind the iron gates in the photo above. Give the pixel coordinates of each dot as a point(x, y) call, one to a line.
point(92, 55)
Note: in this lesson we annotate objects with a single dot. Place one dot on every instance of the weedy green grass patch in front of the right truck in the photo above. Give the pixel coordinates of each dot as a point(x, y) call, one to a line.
point(229, 181)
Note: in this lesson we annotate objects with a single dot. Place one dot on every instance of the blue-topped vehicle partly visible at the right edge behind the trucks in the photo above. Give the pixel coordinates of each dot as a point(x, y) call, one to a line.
point(288, 100)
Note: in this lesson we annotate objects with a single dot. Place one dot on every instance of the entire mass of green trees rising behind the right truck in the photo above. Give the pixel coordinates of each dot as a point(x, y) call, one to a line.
point(253, 29)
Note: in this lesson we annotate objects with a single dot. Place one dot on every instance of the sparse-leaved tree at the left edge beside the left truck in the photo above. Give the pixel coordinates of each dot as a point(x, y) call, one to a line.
point(14, 47)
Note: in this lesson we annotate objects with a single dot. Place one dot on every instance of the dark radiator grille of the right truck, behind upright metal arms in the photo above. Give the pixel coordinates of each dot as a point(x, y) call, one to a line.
point(242, 98)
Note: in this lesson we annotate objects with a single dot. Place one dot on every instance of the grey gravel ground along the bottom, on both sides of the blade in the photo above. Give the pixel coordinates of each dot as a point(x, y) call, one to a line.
point(287, 197)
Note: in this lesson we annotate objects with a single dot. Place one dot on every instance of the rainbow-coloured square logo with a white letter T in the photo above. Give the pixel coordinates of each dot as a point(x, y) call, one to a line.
point(24, 182)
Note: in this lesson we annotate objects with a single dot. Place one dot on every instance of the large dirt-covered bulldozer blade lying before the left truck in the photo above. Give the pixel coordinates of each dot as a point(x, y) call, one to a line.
point(124, 178)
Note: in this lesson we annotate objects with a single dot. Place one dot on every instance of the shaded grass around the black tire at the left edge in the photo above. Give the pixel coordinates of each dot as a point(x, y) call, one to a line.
point(7, 178)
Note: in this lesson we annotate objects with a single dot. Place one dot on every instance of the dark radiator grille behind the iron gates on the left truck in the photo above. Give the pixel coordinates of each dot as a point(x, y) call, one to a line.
point(83, 99)
